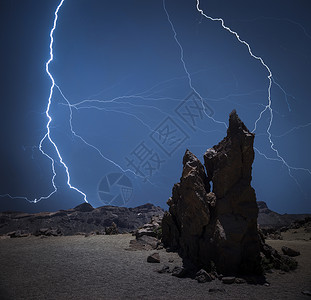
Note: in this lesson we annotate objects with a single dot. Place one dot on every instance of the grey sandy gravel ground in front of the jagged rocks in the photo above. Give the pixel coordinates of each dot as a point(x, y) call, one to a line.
point(100, 267)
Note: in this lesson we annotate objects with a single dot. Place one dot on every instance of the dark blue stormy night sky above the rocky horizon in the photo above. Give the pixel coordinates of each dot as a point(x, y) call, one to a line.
point(119, 66)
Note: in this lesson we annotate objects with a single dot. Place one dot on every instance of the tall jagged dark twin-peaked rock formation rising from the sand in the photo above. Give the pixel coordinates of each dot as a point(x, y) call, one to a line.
point(217, 228)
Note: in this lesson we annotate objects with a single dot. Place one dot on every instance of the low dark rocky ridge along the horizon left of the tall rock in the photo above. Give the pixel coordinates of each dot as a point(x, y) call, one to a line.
point(83, 218)
